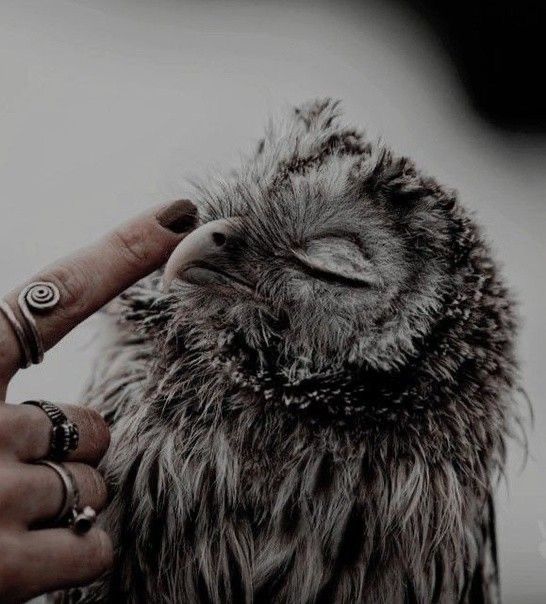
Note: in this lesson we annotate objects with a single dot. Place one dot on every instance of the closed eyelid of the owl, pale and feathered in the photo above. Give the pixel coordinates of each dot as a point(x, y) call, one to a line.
point(335, 258)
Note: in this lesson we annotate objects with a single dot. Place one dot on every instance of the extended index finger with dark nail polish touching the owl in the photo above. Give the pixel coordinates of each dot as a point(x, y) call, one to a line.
point(92, 276)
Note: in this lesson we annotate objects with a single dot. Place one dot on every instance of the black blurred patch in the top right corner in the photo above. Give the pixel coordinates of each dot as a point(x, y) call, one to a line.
point(498, 48)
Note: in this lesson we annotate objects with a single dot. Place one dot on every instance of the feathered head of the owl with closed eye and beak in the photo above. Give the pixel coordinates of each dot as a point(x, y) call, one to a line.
point(323, 245)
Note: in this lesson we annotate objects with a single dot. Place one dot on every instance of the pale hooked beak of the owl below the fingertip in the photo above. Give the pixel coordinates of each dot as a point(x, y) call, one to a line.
point(202, 255)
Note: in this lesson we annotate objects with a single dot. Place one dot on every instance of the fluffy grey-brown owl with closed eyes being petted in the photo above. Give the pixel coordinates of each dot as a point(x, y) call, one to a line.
point(310, 403)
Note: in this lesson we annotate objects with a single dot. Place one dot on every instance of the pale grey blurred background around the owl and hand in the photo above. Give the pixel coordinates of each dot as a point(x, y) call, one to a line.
point(106, 106)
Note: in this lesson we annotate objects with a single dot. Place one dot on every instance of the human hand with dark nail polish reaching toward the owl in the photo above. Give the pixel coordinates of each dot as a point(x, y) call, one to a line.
point(34, 556)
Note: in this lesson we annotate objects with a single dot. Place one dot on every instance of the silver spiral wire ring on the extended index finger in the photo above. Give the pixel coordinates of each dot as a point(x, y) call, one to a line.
point(39, 296)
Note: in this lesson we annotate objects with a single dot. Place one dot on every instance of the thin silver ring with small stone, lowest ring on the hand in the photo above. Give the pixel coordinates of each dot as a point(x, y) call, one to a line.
point(71, 514)
